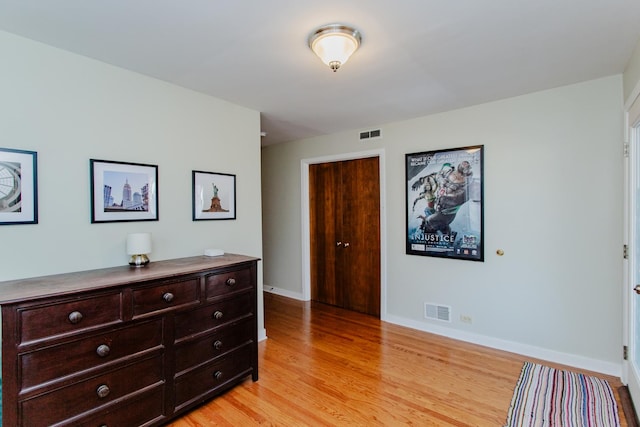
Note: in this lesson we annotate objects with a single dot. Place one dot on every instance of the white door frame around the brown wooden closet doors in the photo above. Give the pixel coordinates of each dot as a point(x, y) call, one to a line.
point(306, 236)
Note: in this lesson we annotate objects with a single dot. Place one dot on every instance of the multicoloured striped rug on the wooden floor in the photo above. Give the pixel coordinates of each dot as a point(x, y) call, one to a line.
point(548, 397)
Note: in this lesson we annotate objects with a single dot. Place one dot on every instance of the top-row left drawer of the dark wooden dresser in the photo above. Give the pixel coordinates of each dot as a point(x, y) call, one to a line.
point(44, 321)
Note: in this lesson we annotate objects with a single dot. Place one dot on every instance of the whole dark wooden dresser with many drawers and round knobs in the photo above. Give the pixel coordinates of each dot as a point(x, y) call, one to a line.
point(127, 347)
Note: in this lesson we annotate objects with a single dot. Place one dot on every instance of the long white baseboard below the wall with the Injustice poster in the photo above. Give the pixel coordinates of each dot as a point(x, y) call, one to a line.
point(576, 361)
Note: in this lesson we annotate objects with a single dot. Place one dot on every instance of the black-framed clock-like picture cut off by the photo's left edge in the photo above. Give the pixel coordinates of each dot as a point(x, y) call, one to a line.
point(18, 187)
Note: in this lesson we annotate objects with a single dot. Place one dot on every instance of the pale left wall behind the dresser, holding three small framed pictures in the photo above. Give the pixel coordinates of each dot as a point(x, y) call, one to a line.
point(70, 109)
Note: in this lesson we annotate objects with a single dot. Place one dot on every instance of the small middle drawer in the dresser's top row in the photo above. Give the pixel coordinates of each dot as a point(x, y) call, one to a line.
point(170, 295)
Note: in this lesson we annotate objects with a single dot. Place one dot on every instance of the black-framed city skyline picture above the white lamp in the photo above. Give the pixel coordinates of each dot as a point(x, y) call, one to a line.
point(123, 191)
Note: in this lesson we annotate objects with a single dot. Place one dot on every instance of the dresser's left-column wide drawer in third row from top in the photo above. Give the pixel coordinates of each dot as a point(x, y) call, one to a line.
point(68, 402)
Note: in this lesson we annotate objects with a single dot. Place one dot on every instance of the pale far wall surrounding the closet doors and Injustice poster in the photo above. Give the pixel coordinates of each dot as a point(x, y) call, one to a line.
point(553, 203)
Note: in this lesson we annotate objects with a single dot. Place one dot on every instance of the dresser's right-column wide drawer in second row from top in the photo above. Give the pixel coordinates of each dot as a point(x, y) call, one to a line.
point(212, 316)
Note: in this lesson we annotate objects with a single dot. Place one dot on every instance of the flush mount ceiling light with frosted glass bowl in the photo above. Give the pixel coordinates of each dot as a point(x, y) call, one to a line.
point(334, 44)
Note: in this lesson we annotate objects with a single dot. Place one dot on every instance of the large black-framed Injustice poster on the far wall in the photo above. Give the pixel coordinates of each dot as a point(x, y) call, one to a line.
point(444, 197)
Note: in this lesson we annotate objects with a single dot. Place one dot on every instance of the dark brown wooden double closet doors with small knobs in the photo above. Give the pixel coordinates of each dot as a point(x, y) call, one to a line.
point(345, 234)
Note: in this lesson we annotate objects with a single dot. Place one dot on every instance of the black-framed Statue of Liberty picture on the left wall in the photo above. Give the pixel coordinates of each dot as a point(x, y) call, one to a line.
point(214, 196)
